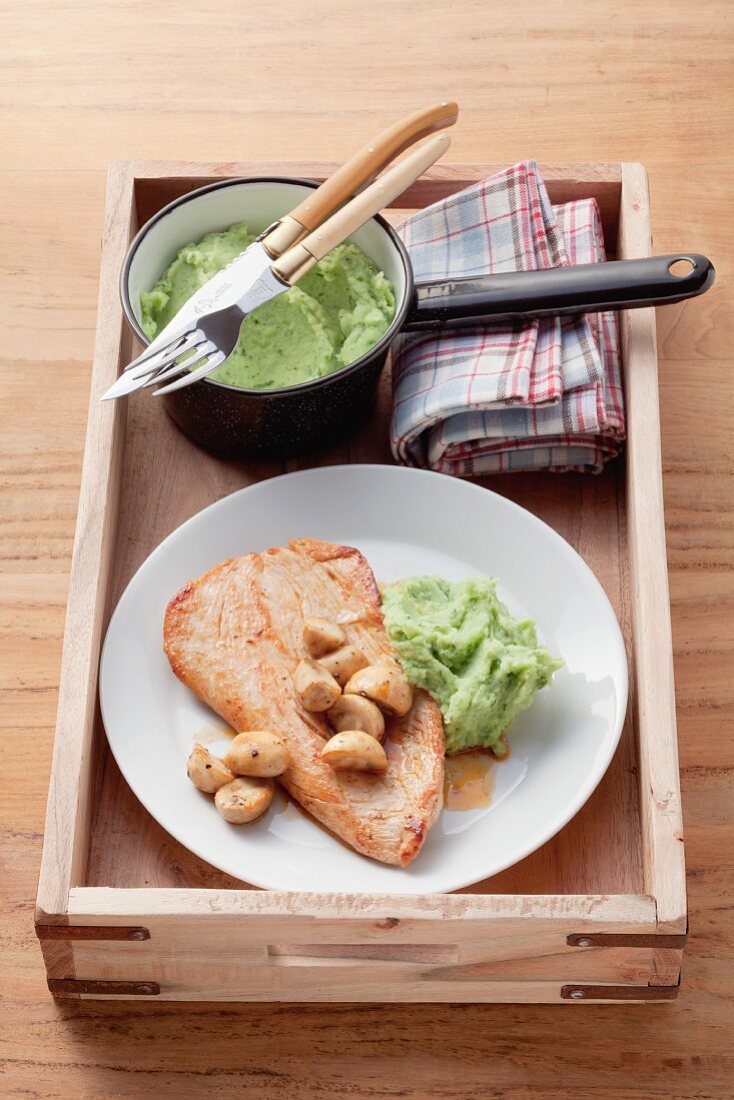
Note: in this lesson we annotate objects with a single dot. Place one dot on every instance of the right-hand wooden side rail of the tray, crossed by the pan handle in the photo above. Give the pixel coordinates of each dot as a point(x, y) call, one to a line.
point(660, 786)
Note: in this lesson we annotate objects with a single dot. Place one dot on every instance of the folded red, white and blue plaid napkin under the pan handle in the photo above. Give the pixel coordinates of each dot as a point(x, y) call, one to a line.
point(542, 395)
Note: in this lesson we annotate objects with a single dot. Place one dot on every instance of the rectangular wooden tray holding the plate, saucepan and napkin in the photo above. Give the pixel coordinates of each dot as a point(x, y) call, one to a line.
point(598, 914)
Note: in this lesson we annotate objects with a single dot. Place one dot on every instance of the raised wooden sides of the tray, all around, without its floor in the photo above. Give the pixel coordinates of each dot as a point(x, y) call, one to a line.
point(240, 944)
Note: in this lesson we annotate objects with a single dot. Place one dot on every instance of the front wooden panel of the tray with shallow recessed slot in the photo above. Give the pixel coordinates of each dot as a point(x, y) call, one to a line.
point(334, 948)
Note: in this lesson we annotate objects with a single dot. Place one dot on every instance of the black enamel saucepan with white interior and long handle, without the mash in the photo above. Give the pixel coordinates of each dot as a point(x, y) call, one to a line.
point(281, 423)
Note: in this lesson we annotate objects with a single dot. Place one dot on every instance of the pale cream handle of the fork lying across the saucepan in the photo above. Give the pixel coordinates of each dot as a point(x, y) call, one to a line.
point(297, 261)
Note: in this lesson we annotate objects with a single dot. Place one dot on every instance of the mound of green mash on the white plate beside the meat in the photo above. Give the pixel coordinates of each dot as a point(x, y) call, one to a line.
point(462, 645)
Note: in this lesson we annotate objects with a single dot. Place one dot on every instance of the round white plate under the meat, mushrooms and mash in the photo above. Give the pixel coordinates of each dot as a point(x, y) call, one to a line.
point(406, 522)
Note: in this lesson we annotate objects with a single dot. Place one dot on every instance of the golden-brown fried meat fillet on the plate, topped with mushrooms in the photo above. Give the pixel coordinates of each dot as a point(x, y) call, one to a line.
point(235, 639)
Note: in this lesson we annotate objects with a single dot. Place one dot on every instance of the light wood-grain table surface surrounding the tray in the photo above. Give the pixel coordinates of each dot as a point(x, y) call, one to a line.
point(85, 84)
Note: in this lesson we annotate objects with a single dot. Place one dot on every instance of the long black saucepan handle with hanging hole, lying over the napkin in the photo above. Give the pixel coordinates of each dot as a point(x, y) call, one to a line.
point(620, 284)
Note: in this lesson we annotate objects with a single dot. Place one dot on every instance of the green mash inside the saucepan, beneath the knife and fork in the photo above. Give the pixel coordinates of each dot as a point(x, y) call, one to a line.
point(337, 313)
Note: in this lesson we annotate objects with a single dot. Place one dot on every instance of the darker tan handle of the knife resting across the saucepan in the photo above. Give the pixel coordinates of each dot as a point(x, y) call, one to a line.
point(357, 173)
